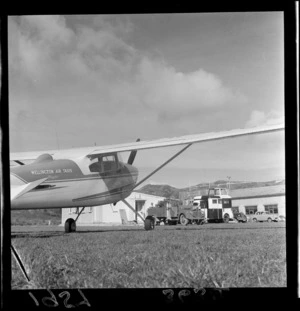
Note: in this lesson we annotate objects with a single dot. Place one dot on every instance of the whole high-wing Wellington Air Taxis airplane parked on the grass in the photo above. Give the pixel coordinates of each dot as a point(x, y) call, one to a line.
point(94, 176)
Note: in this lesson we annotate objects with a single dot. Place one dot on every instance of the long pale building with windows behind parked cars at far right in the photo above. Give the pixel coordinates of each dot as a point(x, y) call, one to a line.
point(251, 200)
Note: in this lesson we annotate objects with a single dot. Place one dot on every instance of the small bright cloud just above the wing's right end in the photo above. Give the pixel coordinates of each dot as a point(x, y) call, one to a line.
point(258, 118)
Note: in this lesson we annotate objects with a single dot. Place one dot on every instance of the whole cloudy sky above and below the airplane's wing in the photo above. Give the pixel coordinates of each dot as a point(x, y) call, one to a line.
point(77, 81)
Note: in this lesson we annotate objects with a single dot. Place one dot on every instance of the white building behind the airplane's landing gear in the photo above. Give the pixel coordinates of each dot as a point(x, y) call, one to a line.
point(118, 214)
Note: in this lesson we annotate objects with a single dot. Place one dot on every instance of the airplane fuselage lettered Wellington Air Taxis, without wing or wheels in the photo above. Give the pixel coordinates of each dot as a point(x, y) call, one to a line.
point(69, 183)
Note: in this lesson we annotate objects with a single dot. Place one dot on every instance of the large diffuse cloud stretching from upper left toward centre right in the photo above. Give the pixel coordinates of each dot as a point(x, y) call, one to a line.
point(46, 51)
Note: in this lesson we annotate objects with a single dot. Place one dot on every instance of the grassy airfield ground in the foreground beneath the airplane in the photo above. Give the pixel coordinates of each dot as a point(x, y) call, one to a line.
point(212, 255)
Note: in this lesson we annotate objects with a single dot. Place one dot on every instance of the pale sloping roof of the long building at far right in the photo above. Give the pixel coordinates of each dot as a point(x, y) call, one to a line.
point(258, 191)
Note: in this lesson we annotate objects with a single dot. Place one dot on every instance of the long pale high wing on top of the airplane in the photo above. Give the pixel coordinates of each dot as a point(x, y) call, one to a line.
point(157, 143)
